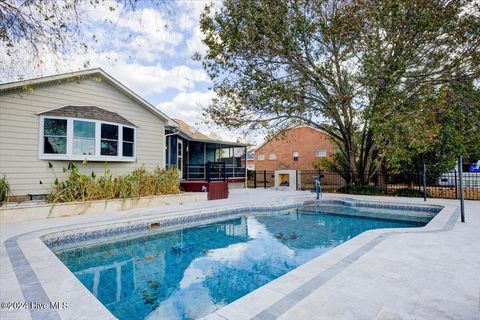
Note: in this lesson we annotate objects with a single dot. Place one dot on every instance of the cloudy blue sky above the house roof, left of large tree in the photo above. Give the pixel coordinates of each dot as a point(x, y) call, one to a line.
point(150, 51)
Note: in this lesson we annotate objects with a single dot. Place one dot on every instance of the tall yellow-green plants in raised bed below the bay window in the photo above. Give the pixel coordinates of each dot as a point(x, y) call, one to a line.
point(78, 186)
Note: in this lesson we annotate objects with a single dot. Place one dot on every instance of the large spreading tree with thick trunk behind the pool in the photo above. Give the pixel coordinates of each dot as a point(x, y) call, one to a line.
point(345, 66)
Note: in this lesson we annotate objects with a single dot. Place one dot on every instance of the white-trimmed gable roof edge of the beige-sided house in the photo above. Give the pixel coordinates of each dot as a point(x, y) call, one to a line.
point(78, 75)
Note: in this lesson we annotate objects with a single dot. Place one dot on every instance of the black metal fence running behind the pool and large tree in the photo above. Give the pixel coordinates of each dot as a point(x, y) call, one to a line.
point(405, 184)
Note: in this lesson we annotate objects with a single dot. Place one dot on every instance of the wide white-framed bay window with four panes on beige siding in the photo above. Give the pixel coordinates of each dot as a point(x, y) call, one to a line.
point(65, 138)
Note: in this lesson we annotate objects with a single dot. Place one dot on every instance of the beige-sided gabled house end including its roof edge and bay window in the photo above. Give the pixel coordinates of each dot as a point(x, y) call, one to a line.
point(85, 116)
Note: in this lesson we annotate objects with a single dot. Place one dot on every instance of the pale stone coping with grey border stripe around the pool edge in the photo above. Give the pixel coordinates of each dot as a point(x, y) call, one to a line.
point(38, 270)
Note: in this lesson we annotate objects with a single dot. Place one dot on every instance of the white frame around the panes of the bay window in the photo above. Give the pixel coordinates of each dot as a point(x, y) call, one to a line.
point(97, 157)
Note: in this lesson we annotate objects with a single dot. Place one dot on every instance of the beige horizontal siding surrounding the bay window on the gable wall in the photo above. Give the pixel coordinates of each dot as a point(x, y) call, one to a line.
point(19, 132)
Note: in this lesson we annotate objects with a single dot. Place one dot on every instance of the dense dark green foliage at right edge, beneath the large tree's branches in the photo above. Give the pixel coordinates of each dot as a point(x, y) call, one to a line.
point(446, 124)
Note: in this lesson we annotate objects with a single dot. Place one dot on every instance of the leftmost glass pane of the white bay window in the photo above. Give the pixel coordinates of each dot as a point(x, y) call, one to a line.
point(55, 136)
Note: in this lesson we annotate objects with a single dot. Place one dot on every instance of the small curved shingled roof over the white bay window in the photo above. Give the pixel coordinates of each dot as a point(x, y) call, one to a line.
point(87, 112)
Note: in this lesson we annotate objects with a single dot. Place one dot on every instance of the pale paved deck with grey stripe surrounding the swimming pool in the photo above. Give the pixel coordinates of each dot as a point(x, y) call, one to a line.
point(429, 273)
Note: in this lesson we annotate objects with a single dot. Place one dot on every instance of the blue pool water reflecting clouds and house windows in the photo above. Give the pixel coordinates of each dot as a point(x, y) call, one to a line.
point(189, 273)
